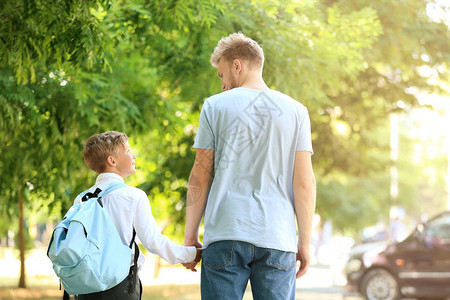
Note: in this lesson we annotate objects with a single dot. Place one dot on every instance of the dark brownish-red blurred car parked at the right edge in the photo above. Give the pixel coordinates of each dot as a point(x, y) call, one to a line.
point(418, 267)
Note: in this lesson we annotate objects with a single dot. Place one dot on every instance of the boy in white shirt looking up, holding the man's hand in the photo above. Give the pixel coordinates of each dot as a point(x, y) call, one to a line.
point(110, 156)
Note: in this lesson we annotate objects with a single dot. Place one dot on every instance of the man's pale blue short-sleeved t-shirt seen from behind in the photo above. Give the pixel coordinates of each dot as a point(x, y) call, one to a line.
point(254, 135)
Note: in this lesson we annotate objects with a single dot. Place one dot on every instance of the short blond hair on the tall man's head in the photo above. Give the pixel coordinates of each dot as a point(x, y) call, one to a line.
point(239, 46)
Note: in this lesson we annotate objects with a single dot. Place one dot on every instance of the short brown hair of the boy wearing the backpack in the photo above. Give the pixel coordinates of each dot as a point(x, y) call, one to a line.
point(99, 146)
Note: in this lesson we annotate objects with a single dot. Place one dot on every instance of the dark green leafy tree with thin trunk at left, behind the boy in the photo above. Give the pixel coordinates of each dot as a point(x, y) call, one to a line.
point(55, 91)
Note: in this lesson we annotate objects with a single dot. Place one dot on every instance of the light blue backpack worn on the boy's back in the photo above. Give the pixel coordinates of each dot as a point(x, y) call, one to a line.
point(85, 248)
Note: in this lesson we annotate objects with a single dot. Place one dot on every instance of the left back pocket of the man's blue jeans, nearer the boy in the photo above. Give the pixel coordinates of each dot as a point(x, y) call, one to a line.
point(218, 255)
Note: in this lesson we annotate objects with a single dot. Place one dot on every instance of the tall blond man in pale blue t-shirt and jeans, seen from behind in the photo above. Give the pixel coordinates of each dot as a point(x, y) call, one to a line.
point(252, 177)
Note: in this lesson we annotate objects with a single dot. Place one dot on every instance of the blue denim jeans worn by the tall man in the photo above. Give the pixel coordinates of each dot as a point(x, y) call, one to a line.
point(228, 265)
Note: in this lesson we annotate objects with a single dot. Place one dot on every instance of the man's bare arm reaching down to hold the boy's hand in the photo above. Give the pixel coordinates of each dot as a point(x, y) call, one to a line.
point(198, 189)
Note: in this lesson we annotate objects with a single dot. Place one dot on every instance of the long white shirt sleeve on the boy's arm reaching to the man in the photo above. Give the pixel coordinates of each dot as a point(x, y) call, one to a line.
point(152, 239)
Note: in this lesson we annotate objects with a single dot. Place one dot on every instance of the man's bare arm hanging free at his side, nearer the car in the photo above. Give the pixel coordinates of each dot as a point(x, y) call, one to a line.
point(304, 185)
